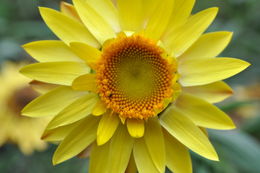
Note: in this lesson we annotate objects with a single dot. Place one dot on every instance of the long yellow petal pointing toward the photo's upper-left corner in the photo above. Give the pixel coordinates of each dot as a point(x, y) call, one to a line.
point(61, 25)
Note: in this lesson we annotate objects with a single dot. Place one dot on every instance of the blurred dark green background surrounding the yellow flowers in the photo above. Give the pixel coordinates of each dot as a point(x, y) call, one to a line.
point(239, 150)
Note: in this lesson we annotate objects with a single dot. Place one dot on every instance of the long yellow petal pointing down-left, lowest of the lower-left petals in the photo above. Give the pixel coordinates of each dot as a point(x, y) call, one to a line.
point(77, 140)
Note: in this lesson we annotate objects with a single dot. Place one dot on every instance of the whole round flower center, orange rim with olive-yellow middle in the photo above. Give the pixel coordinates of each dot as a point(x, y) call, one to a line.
point(134, 78)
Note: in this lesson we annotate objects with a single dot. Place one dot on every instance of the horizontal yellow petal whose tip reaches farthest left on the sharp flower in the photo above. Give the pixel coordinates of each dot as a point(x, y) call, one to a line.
point(62, 73)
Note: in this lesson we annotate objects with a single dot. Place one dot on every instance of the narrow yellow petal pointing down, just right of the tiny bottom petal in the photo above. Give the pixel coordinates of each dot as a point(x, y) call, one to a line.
point(154, 140)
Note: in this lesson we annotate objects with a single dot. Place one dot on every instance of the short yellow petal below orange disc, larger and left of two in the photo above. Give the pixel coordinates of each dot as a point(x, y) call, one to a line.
point(107, 127)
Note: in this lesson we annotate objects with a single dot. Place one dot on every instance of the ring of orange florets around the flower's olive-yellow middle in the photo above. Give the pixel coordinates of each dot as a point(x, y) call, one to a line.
point(107, 75)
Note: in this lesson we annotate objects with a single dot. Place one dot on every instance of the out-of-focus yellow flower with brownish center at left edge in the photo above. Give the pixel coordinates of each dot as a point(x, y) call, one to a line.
point(14, 95)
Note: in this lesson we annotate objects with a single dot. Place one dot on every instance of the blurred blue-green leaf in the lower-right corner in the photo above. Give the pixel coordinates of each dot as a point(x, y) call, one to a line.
point(240, 149)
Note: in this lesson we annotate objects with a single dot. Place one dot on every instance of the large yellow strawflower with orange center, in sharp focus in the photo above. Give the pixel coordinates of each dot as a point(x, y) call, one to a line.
point(135, 83)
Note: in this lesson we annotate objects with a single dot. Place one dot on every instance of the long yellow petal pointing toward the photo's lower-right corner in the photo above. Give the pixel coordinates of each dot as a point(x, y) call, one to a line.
point(183, 129)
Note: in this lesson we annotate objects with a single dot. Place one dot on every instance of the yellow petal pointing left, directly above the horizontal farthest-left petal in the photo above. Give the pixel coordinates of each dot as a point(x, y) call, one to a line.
point(50, 51)
